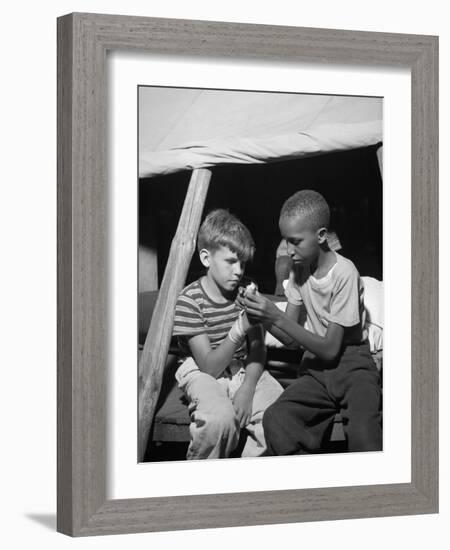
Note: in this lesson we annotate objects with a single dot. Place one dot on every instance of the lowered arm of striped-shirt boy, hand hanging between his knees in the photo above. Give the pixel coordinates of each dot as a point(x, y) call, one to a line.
point(256, 358)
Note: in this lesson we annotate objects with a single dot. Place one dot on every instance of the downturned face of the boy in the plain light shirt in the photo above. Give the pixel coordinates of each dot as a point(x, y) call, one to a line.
point(303, 242)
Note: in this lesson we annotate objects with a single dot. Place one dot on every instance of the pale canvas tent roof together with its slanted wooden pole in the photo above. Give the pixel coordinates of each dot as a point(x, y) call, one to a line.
point(185, 129)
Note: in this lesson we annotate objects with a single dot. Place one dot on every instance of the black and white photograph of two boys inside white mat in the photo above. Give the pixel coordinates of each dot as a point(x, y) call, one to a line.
point(260, 274)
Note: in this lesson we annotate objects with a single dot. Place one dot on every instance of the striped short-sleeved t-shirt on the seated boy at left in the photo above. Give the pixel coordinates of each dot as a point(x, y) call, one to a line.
point(196, 313)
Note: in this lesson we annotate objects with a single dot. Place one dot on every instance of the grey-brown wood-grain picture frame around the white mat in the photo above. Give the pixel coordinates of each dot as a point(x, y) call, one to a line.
point(83, 41)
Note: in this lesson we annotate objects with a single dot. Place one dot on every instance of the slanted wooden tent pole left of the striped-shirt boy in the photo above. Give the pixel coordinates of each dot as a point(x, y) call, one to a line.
point(154, 354)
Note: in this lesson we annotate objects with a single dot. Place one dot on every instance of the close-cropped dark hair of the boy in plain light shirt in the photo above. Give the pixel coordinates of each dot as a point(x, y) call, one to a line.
point(309, 204)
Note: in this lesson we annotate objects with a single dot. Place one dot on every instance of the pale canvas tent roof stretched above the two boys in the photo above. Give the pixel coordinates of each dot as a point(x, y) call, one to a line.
point(188, 128)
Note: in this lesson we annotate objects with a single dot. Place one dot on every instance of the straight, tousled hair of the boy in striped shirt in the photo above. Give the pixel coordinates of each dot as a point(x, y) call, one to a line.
point(221, 228)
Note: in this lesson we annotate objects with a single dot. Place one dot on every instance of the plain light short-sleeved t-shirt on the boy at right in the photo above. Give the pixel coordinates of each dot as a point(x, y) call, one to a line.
point(338, 297)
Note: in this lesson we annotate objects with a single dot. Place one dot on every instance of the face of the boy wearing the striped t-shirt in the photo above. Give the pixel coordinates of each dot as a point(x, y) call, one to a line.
point(224, 267)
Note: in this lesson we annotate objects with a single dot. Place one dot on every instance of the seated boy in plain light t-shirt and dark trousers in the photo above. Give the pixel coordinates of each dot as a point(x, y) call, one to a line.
point(337, 370)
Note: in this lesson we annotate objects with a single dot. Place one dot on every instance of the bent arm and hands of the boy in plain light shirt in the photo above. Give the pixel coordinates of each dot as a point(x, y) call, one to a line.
point(325, 347)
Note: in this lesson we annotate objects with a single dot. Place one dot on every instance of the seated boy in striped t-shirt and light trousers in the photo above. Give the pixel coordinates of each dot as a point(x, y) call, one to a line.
point(222, 373)
